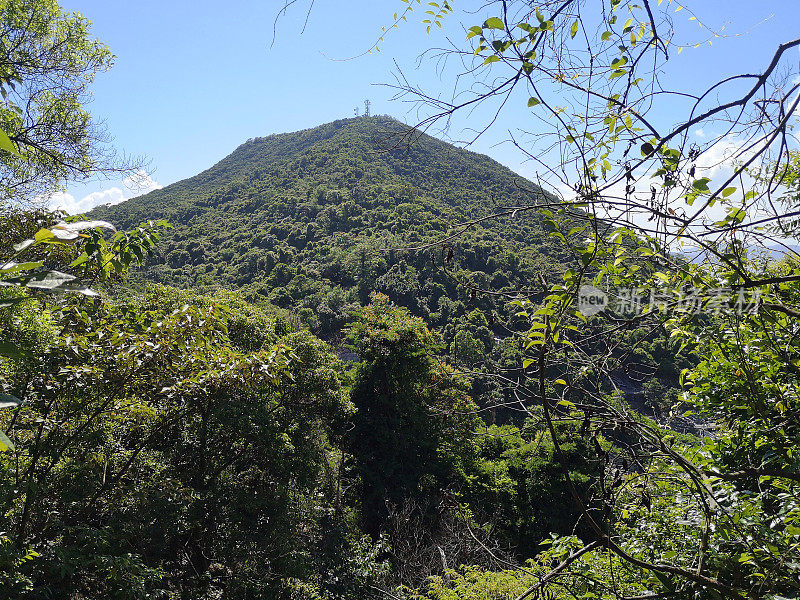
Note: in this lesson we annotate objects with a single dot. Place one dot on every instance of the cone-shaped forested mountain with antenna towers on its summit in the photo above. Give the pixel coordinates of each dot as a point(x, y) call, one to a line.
point(314, 221)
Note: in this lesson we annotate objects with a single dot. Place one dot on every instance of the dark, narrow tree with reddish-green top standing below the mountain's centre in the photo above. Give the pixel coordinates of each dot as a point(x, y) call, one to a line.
point(412, 429)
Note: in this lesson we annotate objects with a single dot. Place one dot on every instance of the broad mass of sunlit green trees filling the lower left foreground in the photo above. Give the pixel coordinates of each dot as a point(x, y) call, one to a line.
point(169, 441)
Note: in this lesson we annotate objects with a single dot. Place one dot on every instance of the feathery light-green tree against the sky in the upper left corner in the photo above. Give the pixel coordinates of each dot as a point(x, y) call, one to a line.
point(47, 63)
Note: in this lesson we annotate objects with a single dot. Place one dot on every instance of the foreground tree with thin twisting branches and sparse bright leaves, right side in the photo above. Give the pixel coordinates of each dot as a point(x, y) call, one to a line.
point(628, 193)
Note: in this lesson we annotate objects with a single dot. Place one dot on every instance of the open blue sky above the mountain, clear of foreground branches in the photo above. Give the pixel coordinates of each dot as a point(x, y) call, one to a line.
point(193, 80)
